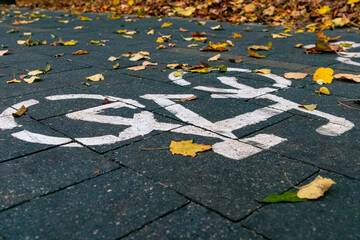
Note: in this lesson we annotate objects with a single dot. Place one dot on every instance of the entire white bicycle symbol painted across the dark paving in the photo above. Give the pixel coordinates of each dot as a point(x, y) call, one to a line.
point(144, 122)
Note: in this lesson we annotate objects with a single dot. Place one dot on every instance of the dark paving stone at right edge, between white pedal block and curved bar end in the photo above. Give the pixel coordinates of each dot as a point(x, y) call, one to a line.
point(335, 153)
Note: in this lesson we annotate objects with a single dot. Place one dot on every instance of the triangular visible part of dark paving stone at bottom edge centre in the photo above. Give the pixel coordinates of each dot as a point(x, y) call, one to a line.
point(193, 222)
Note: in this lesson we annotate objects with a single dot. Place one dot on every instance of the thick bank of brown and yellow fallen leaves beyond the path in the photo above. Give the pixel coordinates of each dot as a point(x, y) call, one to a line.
point(326, 14)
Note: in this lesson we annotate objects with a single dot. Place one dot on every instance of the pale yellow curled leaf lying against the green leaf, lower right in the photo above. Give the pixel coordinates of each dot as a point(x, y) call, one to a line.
point(316, 188)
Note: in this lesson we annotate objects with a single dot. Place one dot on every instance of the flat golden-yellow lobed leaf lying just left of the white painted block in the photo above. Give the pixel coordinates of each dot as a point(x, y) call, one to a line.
point(188, 148)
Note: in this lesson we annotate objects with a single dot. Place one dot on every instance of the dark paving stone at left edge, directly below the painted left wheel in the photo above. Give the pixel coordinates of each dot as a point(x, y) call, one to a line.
point(28, 177)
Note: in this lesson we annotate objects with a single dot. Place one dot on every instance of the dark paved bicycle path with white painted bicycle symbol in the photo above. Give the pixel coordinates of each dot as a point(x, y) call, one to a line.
point(74, 165)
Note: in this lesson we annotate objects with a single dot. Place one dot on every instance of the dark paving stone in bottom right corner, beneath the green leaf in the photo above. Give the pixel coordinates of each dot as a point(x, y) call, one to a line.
point(333, 216)
